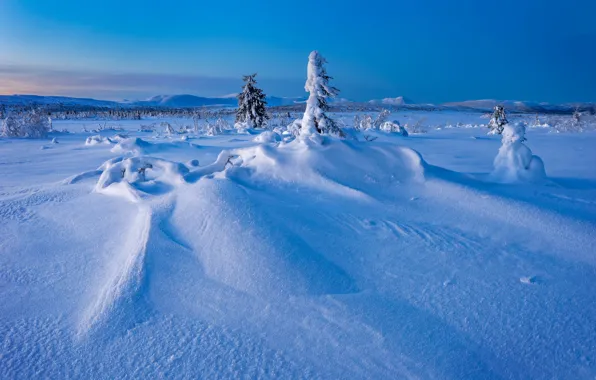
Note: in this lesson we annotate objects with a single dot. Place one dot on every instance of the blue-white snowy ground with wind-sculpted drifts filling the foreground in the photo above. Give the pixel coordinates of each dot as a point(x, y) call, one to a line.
point(347, 260)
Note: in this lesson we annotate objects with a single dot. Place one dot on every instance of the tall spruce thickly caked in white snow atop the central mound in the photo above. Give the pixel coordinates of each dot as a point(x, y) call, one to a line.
point(317, 84)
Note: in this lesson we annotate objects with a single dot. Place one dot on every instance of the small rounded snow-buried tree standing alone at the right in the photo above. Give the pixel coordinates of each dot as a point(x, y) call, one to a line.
point(515, 161)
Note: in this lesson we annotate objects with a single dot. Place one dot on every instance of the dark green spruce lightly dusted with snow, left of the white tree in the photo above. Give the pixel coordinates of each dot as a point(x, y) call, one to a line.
point(251, 104)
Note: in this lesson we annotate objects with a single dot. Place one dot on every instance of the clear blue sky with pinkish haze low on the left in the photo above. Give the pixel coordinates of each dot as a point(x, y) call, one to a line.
point(430, 51)
